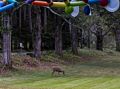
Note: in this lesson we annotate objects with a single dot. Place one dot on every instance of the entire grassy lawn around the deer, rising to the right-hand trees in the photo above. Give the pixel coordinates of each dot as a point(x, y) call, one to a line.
point(100, 73)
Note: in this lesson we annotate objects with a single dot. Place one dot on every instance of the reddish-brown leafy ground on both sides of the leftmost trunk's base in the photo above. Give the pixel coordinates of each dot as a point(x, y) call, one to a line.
point(28, 63)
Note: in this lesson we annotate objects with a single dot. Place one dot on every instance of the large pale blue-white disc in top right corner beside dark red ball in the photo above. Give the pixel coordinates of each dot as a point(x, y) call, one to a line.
point(113, 5)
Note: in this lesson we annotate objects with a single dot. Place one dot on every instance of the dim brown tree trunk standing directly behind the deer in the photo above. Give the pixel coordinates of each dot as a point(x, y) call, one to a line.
point(58, 36)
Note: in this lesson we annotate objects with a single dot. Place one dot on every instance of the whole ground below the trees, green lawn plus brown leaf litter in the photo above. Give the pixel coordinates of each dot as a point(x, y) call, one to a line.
point(89, 70)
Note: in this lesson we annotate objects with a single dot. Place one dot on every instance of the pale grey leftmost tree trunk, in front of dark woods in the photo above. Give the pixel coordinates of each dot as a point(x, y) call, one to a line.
point(7, 42)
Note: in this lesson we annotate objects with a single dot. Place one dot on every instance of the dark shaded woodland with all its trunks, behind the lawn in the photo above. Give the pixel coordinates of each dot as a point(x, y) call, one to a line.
point(37, 29)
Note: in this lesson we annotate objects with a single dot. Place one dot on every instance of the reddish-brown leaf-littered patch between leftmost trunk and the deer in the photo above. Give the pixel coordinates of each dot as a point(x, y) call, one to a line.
point(30, 63)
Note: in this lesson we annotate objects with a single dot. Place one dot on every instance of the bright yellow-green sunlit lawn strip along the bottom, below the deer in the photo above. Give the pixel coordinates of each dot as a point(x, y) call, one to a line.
point(60, 83)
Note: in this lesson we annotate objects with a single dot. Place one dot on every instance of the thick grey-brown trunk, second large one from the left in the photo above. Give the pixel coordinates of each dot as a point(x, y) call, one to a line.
point(37, 39)
